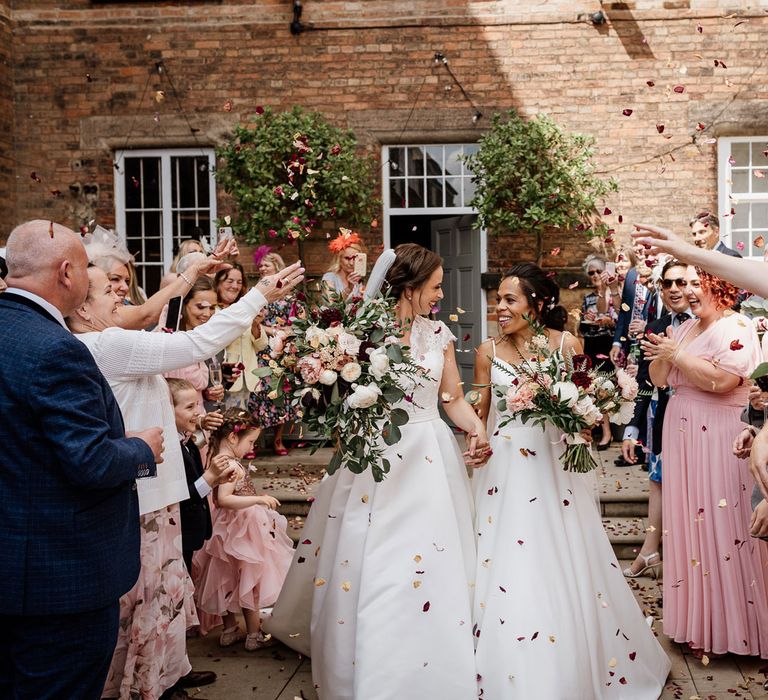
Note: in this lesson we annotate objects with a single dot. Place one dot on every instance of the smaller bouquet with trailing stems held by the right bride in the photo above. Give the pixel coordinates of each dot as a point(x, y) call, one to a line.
point(568, 393)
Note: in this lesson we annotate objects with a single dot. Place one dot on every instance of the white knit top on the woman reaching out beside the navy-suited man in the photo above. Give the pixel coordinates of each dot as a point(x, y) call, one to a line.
point(132, 362)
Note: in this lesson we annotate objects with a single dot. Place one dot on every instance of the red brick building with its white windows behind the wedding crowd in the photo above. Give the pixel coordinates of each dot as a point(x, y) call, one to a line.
point(84, 110)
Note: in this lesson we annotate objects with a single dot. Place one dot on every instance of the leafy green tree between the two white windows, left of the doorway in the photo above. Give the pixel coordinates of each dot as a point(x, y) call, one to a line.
point(289, 172)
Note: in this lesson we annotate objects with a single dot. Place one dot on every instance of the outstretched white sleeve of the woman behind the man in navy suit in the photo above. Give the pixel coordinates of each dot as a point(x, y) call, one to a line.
point(121, 353)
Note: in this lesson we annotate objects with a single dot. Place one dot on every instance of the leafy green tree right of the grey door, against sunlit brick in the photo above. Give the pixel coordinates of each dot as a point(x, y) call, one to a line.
point(533, 176)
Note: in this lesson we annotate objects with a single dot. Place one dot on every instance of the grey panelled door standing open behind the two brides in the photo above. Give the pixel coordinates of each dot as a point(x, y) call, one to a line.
point(457, 240)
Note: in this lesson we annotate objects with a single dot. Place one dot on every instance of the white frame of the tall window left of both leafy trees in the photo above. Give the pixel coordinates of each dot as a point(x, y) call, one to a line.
point(165, 155)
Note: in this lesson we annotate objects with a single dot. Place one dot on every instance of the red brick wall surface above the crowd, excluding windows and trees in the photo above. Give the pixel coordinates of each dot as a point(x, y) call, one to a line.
point(81, 70)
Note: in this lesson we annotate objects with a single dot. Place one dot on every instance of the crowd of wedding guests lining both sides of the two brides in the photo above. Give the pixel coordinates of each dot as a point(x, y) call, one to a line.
point(130, 518)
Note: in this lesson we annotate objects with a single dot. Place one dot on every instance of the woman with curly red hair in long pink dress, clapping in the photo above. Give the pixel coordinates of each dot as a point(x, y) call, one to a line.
point(715, 595)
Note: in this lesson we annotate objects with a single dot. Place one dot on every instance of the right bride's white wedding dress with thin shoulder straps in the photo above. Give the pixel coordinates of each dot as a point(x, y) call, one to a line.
point(554, 618)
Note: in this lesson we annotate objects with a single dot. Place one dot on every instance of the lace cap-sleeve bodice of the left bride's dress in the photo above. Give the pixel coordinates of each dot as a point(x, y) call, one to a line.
point(428, 342)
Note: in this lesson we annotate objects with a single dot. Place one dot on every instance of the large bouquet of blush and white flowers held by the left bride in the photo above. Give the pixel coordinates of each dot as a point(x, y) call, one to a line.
point(342, 367)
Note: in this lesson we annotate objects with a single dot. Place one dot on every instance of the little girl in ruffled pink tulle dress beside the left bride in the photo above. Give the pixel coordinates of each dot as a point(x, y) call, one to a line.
point(244, 563)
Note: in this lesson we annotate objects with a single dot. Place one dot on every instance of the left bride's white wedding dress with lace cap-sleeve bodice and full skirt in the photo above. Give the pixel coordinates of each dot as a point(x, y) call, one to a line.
point(389, 566)
